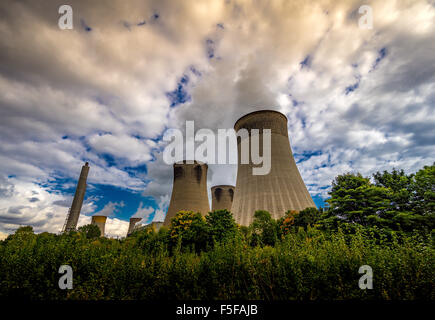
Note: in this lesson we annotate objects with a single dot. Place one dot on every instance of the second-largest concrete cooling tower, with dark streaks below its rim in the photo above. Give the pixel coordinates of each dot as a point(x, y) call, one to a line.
point(189, 190)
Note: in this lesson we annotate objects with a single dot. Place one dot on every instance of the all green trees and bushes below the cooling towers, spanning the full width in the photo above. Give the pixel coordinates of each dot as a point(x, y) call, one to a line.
point(386, 222)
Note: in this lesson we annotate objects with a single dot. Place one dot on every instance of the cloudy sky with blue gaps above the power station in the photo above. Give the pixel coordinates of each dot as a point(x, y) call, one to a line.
point(106, 91)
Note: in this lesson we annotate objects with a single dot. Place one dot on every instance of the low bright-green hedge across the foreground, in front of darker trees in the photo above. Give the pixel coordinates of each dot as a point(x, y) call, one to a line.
point(308, 264)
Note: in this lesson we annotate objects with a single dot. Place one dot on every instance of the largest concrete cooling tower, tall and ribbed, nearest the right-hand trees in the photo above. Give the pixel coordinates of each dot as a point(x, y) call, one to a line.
point(282, 188)
